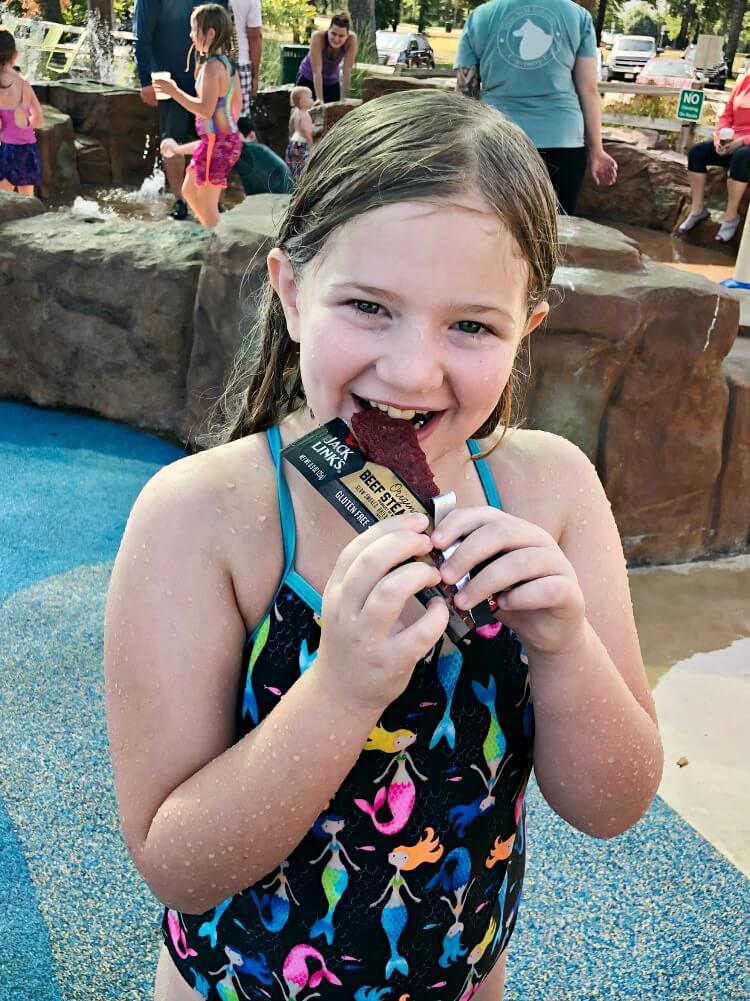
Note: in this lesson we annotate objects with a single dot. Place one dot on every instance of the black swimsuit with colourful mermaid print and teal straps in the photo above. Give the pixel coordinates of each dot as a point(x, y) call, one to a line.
point(410, 883)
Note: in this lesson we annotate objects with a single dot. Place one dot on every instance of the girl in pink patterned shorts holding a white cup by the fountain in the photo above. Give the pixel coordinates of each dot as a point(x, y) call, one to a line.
point(217, 108)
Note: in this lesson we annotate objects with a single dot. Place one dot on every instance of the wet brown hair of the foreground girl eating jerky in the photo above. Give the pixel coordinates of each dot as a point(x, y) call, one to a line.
point(415, 146)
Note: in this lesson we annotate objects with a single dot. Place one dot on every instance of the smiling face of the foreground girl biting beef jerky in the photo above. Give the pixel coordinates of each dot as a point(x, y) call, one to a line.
point(415, 307)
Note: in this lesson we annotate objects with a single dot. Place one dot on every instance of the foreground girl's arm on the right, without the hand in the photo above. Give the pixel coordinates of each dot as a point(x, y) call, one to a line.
point(598, 755)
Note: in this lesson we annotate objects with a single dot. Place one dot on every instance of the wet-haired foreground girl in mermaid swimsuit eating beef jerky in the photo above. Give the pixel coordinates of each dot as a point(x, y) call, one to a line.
point(327, 794)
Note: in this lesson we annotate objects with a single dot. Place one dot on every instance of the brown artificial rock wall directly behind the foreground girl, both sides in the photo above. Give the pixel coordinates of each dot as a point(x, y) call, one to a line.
point(140, 322)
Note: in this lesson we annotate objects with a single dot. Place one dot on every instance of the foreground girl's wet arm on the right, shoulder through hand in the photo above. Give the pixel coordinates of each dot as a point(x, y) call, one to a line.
point(563, 586)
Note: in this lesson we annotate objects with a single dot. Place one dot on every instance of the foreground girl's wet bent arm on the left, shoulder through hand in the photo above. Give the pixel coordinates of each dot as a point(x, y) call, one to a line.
point(205, 817)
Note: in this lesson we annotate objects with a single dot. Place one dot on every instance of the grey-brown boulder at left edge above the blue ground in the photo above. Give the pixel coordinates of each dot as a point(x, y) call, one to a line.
point(102, 316)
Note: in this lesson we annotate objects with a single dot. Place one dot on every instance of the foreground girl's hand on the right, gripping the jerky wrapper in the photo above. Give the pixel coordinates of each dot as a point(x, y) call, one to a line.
point(522, 565)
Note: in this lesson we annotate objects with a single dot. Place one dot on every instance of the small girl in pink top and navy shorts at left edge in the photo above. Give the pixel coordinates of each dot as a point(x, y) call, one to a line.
point(21, 115)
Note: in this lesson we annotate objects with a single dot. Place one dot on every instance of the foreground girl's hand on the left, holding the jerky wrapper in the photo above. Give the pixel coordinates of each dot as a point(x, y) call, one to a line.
point(367, 654)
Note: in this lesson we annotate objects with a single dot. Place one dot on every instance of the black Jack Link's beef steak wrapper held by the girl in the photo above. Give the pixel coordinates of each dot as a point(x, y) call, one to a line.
point(366, 493)
